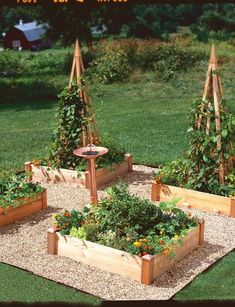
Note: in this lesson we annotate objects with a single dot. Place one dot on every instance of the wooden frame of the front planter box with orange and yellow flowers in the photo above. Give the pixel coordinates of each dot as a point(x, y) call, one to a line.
point(145, 269)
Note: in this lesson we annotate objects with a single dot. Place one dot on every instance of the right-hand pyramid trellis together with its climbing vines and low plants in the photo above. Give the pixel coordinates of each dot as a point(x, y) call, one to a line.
point(209, 165)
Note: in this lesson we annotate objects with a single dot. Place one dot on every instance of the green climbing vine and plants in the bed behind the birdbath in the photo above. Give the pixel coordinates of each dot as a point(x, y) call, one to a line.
point(71, 120)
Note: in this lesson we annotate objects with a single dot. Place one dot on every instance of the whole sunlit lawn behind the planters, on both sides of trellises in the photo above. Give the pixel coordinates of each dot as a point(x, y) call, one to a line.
point(148, 117)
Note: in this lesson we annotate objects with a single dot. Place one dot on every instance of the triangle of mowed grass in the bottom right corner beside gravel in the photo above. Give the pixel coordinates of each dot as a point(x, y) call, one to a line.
point(217, 283)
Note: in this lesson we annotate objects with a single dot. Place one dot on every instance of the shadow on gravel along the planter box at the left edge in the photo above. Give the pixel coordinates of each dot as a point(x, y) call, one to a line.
point(31, 220)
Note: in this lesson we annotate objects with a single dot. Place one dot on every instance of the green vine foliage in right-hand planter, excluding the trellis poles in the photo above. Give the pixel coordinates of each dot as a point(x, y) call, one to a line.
point(199, 171)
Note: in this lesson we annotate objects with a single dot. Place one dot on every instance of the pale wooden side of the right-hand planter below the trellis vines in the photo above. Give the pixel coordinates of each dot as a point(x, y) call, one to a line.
point(194, 199)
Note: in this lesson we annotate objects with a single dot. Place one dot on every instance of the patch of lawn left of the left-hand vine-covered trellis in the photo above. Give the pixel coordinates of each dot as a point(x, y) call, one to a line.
point(26, 130)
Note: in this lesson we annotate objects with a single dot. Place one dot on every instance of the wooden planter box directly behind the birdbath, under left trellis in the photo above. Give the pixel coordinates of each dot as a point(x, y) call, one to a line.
point(103, 175)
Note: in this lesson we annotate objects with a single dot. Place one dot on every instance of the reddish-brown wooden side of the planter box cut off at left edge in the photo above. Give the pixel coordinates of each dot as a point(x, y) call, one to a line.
point(28, 207)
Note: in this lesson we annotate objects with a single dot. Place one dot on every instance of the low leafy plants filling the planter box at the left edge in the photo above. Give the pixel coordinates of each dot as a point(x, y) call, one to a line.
point(14, 188)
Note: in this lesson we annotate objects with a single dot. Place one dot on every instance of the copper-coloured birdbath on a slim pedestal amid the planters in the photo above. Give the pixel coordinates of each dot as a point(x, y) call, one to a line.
point(91, 152)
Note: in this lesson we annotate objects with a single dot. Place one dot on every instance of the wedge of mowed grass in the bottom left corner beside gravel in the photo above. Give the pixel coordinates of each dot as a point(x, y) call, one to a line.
point(17, 285)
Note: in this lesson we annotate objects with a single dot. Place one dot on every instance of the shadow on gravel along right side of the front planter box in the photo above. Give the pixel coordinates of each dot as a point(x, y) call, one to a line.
point(189, 266)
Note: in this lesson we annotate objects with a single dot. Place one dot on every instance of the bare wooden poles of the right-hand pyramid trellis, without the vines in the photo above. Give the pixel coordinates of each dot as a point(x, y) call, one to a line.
point(213, 92)
